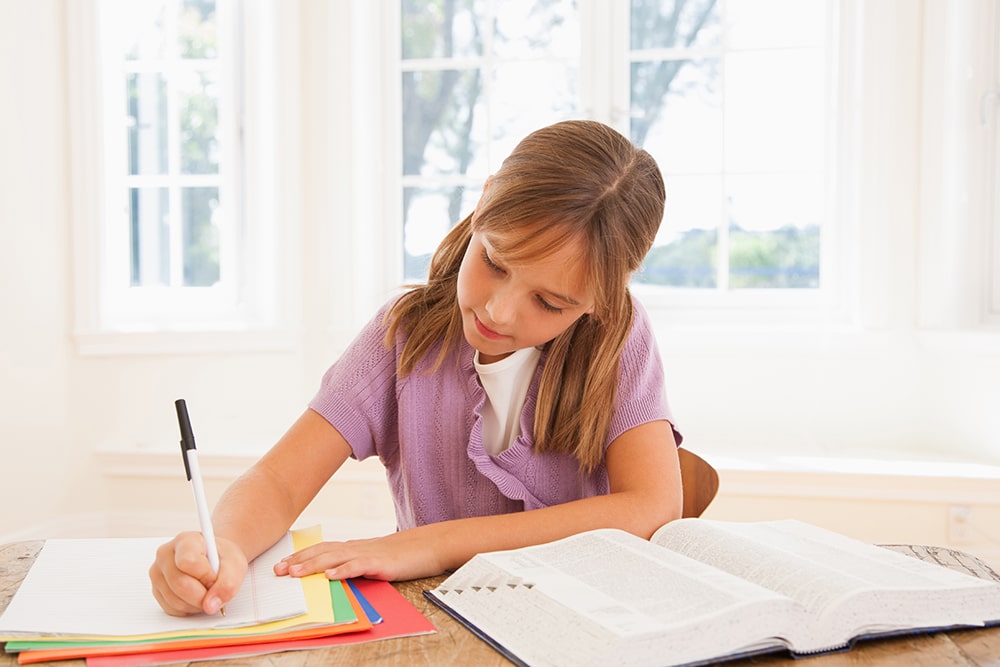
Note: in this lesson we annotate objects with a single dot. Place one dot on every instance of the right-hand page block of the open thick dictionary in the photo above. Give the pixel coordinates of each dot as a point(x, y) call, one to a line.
point(822, 570)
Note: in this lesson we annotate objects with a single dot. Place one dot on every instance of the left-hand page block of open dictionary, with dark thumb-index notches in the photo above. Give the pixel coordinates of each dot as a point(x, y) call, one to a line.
point(604, 594)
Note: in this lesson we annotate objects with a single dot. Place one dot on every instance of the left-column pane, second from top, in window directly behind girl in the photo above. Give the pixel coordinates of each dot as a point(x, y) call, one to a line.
point(440, 132)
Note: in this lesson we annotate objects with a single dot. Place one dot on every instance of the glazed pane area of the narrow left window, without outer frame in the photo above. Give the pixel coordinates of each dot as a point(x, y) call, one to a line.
point(170, 66)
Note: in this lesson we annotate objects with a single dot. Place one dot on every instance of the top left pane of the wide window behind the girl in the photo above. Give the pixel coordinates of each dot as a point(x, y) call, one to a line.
point(441, 28)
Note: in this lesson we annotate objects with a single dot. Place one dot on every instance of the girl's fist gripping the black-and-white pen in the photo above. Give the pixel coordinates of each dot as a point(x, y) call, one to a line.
point(182, 578)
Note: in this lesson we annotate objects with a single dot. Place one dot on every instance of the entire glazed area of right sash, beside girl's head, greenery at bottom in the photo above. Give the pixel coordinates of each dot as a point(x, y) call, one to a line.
point(747, 112)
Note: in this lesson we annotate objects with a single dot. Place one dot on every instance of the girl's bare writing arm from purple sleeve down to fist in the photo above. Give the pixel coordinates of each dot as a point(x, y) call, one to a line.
point(253, 513)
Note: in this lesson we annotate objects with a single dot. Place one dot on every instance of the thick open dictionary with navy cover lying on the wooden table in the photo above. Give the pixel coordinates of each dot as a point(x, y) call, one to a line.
point(703, 590)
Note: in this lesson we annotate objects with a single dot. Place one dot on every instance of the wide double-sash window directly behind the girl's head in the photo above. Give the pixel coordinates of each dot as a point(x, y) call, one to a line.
point(732, 102)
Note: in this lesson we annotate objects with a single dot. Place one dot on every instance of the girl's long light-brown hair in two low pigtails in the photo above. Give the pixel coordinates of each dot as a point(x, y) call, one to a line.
point(572, 180)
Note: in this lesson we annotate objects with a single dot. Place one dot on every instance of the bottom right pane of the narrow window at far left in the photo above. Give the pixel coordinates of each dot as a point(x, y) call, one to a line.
point(201, 236)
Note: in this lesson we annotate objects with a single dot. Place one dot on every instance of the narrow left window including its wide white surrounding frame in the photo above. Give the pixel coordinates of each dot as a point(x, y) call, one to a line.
point(170, 96)
